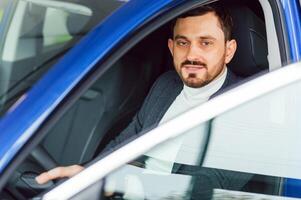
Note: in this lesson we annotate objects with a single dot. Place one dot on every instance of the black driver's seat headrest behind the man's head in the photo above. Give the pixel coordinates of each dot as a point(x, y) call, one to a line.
point(252, 51)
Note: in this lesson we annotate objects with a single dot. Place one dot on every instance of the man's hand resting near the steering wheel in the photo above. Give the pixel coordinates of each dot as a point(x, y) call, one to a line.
point(59, 172)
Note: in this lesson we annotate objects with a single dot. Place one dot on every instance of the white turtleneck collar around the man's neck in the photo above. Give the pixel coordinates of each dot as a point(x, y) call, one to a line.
point(194, 96)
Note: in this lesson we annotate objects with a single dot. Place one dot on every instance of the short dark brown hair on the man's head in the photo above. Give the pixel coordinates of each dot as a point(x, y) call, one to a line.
point(220, 11)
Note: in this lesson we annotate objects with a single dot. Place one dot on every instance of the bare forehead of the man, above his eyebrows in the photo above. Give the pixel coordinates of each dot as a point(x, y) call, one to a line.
point(199, 26)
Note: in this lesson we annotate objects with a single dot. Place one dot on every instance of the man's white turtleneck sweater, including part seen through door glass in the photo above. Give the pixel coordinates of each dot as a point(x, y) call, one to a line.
point(186, 148)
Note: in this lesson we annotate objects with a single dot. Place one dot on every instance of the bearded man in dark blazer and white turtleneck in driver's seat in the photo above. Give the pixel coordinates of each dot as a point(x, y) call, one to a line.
point(201, 47)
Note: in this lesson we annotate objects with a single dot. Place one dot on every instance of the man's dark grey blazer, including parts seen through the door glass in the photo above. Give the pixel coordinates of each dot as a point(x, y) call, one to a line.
point(162, 94)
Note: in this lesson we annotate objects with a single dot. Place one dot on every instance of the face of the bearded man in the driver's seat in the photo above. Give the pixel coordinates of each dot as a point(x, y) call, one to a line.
point(199, 50)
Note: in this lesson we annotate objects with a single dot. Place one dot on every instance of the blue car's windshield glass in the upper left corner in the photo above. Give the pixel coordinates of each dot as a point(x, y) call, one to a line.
point(37, 33)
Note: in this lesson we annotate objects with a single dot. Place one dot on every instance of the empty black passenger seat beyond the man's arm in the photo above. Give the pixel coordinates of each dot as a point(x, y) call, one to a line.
point(107, 107)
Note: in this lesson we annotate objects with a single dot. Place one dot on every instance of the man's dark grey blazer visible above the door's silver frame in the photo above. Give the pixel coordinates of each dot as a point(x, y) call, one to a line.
point(162, 94)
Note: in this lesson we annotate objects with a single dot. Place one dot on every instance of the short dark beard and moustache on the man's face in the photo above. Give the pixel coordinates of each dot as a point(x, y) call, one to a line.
point(194, 80)
